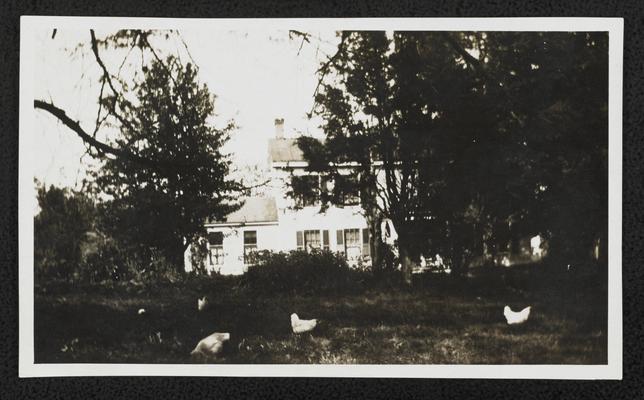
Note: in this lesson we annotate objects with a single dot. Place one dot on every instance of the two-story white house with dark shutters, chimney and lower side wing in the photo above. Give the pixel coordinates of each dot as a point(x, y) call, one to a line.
point(278, 222)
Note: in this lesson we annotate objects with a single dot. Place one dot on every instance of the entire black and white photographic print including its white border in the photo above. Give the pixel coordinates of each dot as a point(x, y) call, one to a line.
point(385, 197)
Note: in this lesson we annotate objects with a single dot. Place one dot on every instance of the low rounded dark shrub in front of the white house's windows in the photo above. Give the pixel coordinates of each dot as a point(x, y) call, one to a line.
point(302, 273)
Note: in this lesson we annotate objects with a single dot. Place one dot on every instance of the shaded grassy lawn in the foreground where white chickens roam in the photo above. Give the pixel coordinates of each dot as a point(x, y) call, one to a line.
point(439, 320)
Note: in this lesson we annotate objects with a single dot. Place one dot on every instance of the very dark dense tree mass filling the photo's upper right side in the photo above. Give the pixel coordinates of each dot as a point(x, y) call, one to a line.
point(521, 151)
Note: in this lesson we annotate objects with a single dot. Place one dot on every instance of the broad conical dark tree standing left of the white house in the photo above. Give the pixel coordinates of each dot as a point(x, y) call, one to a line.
point(163, 205)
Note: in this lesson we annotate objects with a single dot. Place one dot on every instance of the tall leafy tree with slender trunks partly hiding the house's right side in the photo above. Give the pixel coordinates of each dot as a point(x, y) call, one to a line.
point(383, 105)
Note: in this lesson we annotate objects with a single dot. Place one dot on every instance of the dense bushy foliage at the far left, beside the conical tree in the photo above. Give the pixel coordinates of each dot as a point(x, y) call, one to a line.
point(70, 246)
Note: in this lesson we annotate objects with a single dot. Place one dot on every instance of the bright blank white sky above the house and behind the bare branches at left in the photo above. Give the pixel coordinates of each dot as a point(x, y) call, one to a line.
point(257, 76)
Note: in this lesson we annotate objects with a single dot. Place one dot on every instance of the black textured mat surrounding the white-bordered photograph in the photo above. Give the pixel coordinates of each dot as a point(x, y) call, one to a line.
point(632, 387)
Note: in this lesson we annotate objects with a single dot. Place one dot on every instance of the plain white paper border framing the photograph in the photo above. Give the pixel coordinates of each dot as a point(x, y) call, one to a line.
point(26, 193)
